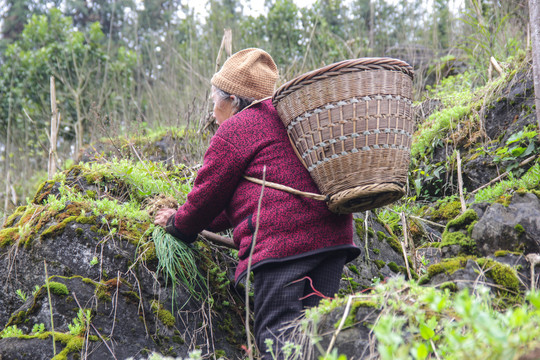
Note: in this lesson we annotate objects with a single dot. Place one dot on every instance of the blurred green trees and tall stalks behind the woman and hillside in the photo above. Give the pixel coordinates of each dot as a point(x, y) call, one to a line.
point(126, 66)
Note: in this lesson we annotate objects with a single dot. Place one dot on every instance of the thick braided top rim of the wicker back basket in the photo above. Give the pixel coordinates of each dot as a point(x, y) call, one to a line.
point(344, 66)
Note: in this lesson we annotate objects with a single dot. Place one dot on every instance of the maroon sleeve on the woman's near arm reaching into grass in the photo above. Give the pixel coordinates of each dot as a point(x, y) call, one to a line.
point(214, 186)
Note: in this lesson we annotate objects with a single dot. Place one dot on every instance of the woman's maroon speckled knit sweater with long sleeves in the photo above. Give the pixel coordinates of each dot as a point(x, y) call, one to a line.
point(290, 226)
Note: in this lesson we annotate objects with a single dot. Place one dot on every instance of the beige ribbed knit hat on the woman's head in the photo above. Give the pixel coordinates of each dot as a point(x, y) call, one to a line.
point(249, 73)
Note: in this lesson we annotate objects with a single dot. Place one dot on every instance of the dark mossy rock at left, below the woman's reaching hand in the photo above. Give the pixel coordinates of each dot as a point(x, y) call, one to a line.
point(103, 269)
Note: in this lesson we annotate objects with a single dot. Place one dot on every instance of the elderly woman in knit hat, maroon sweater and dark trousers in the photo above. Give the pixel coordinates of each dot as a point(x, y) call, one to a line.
point(297, 237)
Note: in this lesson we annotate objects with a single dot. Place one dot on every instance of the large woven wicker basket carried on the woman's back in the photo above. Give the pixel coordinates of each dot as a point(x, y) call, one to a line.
point(350, 124)
